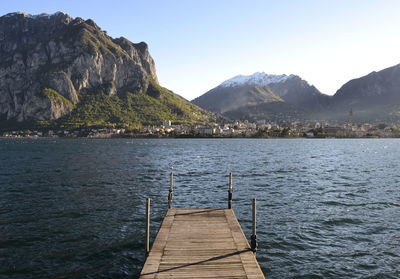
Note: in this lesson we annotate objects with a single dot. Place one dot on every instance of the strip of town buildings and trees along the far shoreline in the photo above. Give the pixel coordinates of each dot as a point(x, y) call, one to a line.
point(234, 129)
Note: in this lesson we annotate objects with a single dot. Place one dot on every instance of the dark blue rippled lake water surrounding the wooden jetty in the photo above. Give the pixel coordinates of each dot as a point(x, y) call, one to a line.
point(75, 208)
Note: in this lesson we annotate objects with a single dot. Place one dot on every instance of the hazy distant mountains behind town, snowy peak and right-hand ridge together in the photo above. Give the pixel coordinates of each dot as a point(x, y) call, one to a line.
point(374, 97)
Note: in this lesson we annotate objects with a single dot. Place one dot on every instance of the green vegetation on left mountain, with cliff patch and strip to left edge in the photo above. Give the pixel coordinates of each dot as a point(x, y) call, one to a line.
point(130, 110)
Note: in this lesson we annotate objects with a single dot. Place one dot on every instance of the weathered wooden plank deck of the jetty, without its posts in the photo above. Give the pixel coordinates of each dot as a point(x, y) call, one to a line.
point(200, 243)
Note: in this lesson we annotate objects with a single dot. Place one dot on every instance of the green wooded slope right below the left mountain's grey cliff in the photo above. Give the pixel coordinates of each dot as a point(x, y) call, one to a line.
point(134, 110)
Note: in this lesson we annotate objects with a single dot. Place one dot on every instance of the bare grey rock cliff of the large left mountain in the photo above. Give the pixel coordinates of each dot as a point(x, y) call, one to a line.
point(46, 61)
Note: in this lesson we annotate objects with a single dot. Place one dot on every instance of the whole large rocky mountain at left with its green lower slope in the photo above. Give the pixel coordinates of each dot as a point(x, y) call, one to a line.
point(58, 67)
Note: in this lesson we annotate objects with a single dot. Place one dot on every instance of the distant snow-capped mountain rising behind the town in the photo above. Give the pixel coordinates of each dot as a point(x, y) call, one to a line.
point(263, 96)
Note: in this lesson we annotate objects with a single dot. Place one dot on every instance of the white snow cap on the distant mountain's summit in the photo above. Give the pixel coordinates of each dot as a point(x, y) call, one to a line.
point(258, 78)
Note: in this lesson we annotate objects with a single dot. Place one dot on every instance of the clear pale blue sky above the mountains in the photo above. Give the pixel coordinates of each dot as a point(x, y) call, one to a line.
point(198, 44)
